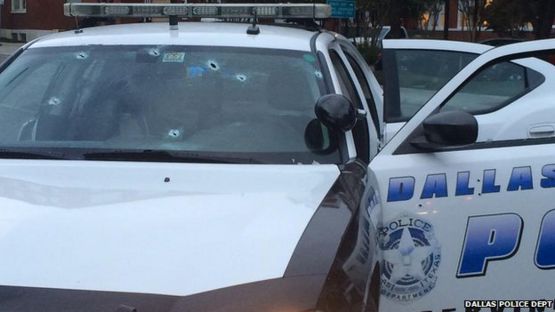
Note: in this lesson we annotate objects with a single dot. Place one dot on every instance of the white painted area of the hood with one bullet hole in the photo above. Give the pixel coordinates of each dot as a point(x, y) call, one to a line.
point(156, 228)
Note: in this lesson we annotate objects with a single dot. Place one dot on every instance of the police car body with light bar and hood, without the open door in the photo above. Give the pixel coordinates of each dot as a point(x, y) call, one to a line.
point(156, 167)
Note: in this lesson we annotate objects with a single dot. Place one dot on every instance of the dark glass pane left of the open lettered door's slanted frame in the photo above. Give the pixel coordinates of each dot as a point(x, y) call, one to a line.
point(415, 76)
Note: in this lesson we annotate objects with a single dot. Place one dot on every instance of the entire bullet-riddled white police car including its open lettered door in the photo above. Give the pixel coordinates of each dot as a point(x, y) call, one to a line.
point(188, 168)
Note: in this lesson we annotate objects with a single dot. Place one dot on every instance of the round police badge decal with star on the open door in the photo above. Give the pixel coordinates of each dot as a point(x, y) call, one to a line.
point(411, 258)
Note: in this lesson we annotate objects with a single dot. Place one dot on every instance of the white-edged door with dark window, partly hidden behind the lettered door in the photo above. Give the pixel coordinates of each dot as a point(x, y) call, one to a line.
point(413, 71)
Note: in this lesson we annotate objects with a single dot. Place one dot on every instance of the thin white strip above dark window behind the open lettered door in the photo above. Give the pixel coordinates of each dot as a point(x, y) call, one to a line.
point(434, 44)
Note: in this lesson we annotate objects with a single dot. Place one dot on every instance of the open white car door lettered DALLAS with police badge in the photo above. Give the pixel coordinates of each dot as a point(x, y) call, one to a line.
point(472, 222)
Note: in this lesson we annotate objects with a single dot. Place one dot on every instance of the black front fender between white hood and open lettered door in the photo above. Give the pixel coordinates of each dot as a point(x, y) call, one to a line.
point(336, 241)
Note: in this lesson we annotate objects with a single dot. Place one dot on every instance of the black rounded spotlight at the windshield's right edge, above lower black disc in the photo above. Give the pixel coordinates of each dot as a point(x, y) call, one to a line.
point(336, 112)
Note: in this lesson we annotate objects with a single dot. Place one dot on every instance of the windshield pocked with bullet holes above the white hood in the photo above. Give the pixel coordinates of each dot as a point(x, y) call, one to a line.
point(122, 102)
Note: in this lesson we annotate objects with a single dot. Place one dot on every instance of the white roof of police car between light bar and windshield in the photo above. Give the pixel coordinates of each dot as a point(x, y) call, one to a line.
point(189, 33)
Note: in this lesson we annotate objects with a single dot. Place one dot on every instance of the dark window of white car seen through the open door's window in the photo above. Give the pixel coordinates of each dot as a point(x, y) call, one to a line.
point(494, 87)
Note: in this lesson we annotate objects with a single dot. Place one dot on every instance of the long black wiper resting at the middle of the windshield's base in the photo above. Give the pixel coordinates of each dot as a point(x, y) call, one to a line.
point(167, 156)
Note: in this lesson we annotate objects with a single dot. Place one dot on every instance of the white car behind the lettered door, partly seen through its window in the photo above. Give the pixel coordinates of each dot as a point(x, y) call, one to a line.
point(414, 70)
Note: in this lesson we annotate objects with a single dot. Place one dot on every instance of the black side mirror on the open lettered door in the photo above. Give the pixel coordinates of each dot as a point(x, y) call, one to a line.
point(447, 129)
